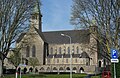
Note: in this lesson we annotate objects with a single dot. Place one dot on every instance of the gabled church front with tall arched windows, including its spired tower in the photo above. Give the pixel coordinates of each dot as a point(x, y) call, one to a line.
point(34, 45)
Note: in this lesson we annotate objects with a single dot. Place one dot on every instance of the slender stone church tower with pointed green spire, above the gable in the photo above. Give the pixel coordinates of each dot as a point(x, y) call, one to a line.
point(36, 18)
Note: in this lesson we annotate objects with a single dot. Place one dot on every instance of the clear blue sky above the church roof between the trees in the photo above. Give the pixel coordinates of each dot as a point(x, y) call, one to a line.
point(56, 15)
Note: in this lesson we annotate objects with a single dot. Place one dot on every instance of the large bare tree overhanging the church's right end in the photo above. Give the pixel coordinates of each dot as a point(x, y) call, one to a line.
point(105, 14)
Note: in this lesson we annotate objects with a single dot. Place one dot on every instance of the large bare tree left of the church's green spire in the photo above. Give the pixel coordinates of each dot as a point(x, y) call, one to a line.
point(14, 15)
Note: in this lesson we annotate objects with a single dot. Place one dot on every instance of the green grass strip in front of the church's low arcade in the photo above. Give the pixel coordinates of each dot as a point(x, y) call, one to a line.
point(48, 76)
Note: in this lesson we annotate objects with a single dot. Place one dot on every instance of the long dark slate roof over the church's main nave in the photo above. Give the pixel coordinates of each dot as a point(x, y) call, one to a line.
point(77, 36)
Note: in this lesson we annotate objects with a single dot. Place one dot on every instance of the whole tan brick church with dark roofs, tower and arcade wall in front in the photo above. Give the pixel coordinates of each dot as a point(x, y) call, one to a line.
point(54, 51)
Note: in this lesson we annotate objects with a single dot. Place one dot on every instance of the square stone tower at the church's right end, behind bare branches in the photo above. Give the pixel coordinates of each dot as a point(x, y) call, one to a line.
point(93, 44)
